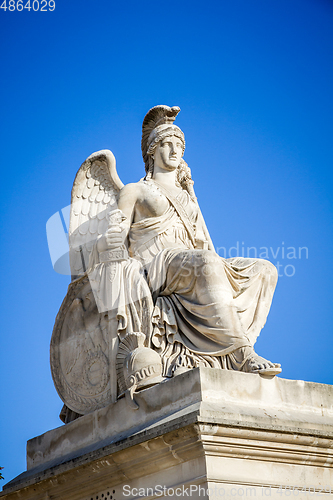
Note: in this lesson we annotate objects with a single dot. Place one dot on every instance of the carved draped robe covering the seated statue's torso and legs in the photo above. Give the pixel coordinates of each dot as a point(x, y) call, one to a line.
point(206, 307)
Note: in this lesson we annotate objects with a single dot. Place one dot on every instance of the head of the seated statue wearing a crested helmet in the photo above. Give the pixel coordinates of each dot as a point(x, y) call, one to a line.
point(157, 128)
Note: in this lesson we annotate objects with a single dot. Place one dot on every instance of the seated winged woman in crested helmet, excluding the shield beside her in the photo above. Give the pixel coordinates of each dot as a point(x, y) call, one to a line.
point(195, 307)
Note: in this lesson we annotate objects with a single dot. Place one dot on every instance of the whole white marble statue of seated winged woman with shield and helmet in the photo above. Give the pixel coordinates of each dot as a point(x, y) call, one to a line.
point(150, 298)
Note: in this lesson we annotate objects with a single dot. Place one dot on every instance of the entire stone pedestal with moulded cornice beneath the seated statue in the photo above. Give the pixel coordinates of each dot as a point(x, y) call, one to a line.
point(203, 434)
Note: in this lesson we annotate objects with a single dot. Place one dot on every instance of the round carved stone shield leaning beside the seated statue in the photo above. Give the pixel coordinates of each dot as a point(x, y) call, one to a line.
point(79, 351)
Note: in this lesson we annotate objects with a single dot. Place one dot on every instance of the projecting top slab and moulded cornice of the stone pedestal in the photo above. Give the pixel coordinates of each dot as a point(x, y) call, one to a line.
point(222, 410)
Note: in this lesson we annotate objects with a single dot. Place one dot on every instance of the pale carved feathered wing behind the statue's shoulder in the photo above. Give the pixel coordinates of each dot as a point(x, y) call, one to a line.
point(94, 194)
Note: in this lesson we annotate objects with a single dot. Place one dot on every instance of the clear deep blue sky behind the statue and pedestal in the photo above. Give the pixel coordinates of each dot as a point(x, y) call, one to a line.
point(254, 83)
